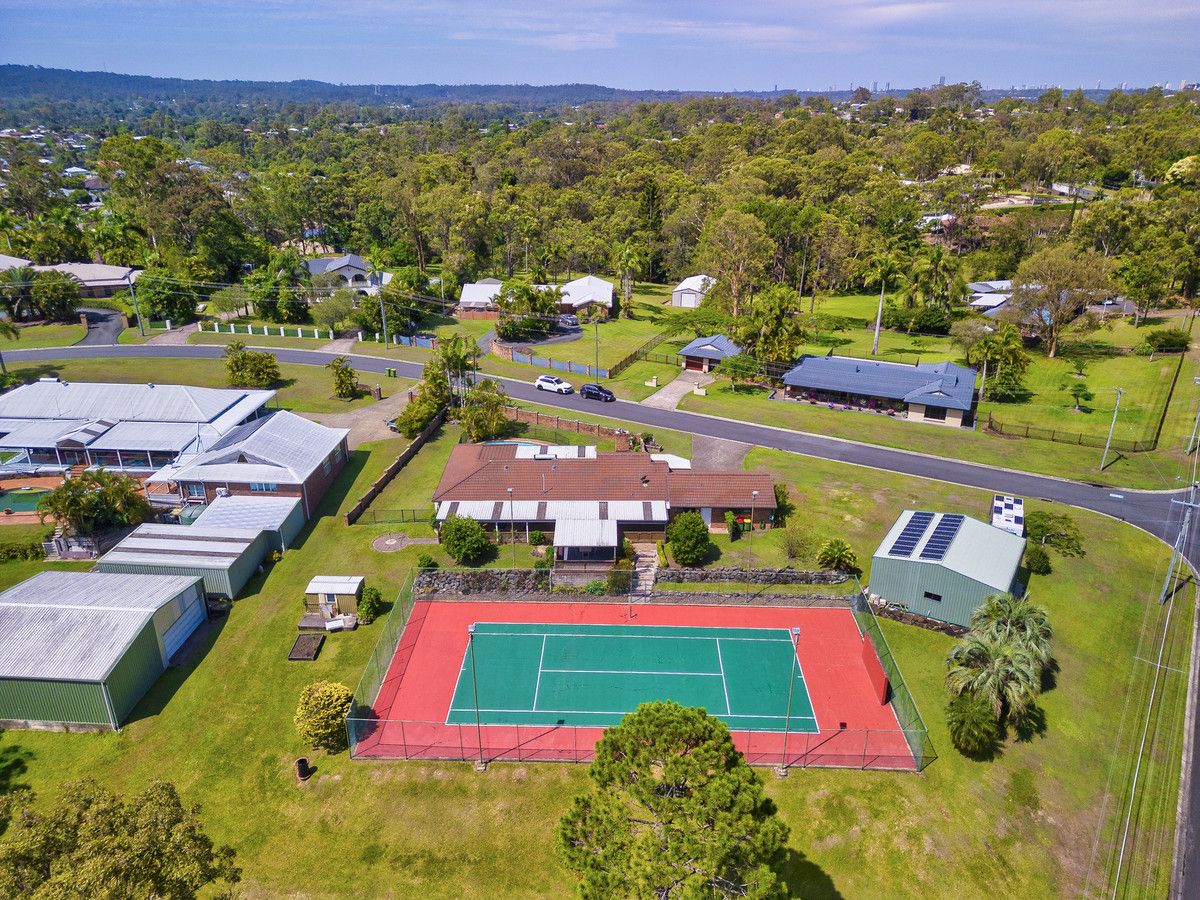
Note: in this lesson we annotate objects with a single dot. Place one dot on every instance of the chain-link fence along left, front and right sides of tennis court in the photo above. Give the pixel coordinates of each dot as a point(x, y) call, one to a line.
point(371, 737)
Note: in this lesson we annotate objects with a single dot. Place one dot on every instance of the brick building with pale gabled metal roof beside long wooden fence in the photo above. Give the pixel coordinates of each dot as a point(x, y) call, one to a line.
point(279, 455)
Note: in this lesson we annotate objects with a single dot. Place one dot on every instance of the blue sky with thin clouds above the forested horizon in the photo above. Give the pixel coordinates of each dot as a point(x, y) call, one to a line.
point(699, 45)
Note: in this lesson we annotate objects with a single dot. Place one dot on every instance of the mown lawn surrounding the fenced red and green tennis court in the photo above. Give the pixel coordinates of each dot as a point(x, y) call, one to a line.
point(1039, 821)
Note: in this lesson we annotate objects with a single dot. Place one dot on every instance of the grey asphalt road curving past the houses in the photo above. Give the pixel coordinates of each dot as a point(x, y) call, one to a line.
point(1153, 512)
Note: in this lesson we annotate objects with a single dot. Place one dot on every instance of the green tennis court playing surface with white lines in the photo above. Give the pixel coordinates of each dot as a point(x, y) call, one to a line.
point(595, 675)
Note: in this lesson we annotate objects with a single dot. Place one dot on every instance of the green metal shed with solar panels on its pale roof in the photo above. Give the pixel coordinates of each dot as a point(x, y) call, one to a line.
point(945, 566)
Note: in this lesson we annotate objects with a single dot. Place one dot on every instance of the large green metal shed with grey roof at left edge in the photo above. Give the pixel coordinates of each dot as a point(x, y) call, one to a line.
point(80, 650)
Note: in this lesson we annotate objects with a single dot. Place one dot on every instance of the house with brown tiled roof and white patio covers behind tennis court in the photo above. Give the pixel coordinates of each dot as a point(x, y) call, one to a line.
point(591, 502)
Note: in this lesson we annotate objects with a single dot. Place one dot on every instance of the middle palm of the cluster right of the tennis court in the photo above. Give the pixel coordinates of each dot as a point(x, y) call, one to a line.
point(999, 670)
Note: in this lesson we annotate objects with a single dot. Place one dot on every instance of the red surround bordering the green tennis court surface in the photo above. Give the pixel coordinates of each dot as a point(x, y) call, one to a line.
point(409, 718)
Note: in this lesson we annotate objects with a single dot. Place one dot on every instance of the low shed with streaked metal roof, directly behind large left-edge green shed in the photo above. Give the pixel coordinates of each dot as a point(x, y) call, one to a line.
point(225, 559)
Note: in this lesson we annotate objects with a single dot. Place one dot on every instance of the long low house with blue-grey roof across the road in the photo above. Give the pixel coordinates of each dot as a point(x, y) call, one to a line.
point(941, 393)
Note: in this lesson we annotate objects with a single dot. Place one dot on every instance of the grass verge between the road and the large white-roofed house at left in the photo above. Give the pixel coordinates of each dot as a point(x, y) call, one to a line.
point(303, 389)
